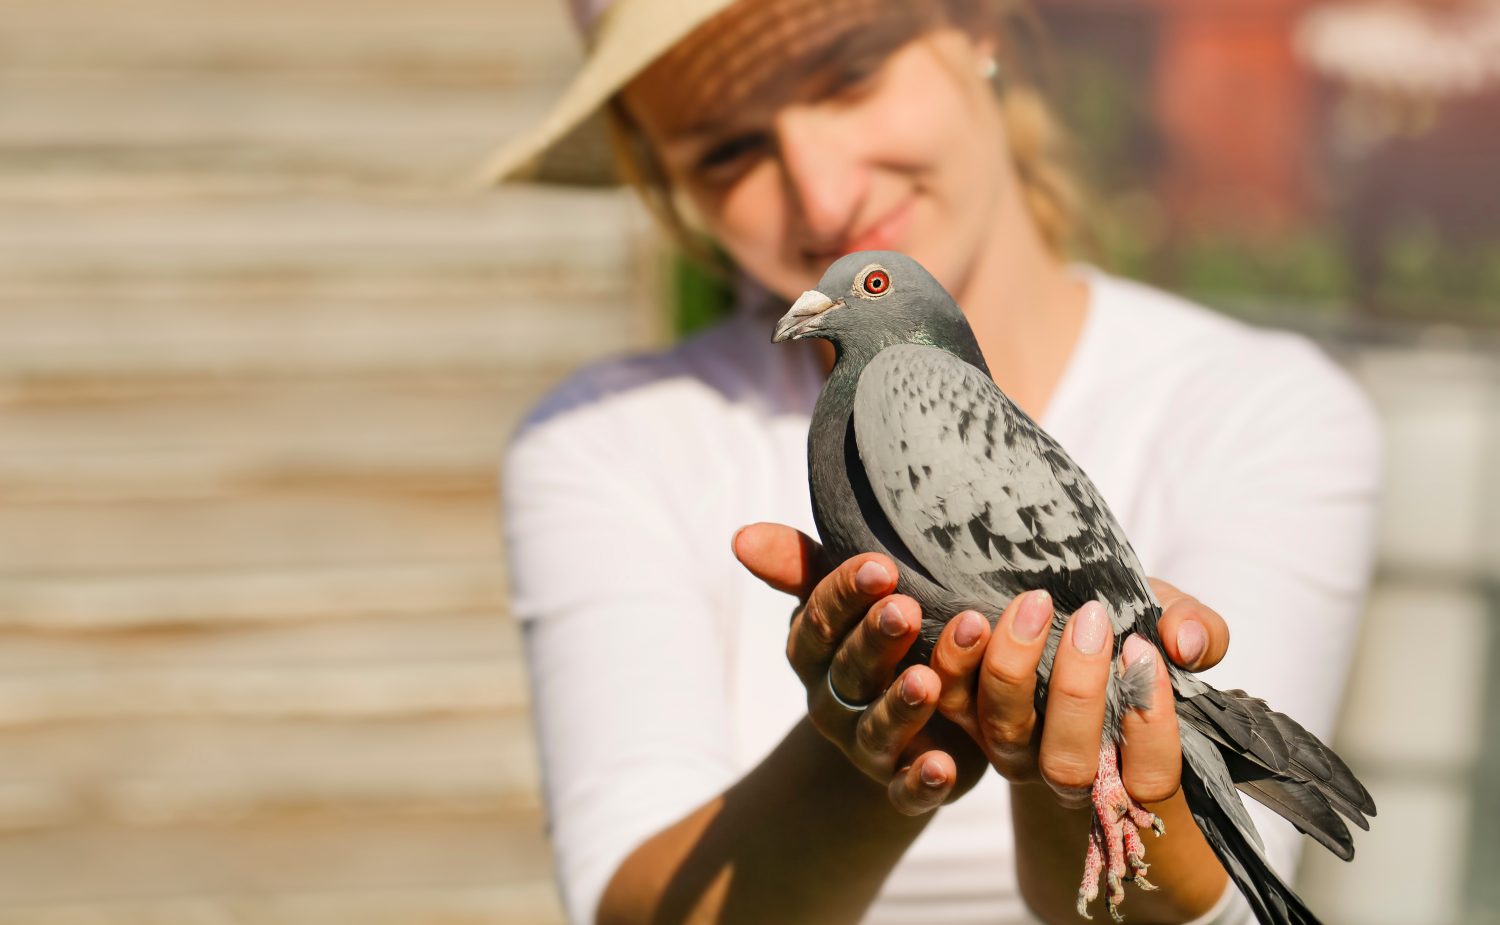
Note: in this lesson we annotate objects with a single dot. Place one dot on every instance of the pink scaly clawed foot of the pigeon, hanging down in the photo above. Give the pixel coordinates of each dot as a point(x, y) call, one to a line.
point(1115, 846)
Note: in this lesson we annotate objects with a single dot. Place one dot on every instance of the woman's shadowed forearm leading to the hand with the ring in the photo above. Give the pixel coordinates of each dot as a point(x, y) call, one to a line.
point(805, 837)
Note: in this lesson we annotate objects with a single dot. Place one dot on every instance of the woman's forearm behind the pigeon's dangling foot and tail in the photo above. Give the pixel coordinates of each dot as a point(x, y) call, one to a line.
point(1051, 846)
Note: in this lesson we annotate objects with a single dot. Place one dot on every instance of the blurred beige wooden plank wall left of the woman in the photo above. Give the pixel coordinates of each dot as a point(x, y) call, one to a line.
point(259, 358)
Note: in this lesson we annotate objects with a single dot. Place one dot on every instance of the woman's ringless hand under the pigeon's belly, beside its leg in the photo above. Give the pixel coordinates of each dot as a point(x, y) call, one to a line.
point(1063, 749)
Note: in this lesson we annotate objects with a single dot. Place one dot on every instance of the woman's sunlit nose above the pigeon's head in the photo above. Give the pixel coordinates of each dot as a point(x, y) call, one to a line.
point(824, 176)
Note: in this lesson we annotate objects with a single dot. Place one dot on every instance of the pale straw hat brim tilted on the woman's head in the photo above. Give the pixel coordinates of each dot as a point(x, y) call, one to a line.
point(622, 38)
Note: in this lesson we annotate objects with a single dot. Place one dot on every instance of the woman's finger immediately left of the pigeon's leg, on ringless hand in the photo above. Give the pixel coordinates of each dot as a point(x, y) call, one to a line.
point(1070, 734)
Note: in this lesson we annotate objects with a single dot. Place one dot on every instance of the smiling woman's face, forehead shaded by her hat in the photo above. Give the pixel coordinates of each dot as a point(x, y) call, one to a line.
point(806, 131)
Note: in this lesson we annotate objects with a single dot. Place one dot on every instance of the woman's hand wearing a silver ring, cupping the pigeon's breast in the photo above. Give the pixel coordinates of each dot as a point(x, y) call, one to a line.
point(850, 633)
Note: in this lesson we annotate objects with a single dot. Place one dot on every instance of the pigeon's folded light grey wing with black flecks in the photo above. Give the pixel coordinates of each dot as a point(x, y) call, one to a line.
point(983, 498)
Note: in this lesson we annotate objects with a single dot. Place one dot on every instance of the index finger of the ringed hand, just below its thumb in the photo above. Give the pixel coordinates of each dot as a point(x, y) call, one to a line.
point(835, 606)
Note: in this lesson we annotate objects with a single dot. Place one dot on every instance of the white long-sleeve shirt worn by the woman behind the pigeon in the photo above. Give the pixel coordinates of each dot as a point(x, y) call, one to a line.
point(1241, 462)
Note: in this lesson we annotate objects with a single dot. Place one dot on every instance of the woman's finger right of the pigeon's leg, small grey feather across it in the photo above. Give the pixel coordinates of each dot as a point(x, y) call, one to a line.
point(1151, 755)
